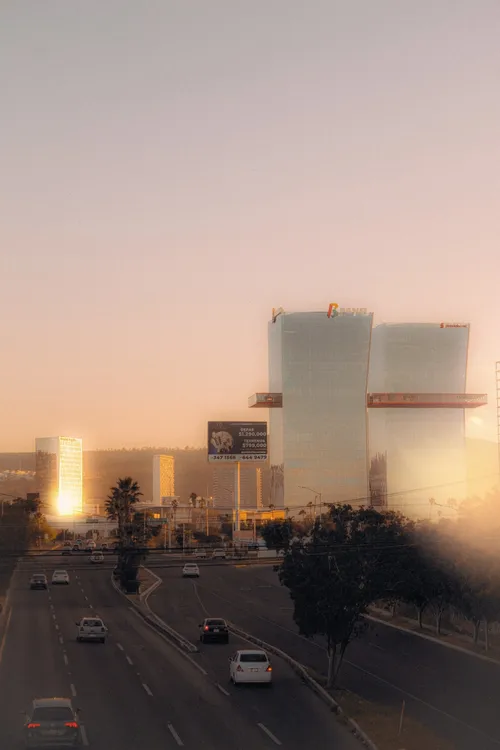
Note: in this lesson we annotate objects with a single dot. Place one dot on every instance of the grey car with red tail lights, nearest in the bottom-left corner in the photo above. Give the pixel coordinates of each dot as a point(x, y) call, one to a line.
point(52, 722)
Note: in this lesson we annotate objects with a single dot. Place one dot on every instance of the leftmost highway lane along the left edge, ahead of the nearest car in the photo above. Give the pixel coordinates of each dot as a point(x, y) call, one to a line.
point(32, 664)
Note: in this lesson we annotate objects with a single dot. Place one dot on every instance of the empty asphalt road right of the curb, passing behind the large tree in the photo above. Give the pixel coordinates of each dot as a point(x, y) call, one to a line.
point(454, 694)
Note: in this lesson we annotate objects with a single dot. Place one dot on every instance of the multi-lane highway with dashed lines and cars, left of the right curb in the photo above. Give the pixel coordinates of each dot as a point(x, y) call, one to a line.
point(136, 691)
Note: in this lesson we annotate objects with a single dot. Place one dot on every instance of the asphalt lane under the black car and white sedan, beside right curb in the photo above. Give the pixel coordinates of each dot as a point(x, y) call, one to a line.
point(264, 706)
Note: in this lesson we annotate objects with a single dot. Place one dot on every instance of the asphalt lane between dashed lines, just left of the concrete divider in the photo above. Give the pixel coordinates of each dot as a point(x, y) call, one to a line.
point(180, 696)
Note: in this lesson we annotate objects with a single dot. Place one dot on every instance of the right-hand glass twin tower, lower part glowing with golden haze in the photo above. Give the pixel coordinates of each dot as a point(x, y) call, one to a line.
point(418, 453)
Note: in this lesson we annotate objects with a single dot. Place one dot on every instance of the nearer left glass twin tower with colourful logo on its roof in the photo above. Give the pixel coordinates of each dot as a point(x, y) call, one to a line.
point(318, 439)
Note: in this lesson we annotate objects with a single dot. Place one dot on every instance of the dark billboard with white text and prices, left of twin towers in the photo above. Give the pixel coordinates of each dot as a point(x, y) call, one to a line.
point(237, 441)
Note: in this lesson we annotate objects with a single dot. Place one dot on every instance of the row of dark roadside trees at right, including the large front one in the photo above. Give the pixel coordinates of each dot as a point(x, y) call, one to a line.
point(339, 565)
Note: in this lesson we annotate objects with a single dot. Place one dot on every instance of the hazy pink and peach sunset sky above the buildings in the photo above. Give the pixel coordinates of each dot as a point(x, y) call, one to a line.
point(170, 170)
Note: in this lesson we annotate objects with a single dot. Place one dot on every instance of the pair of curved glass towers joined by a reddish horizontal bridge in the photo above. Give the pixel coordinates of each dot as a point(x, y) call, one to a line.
point(366, 414)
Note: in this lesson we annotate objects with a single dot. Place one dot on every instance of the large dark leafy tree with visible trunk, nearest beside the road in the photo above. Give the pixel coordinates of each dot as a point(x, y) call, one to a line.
point(337, 569)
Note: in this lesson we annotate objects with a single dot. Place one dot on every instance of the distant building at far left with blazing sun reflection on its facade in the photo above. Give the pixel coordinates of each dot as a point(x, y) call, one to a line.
point(59, 472)
